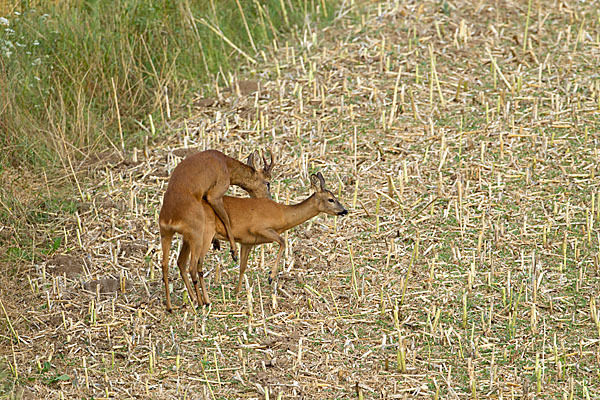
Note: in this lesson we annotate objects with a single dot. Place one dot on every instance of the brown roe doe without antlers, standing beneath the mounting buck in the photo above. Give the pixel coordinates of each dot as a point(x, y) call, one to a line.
point(253, 221)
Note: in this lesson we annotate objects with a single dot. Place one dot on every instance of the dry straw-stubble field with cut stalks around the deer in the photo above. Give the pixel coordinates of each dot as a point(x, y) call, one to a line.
point(467, 268)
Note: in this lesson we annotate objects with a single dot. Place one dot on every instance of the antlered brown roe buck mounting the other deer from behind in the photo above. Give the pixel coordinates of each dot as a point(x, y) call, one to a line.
point(206, 176)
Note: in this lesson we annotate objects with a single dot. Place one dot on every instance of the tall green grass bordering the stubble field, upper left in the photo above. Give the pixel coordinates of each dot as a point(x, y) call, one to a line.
point(66, 68)
